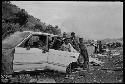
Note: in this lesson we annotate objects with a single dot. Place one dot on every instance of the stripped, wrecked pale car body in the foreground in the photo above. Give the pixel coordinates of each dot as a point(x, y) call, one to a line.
point(35, 58)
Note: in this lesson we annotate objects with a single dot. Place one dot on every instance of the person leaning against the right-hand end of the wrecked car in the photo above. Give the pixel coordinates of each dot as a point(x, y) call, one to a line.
point(84, 54)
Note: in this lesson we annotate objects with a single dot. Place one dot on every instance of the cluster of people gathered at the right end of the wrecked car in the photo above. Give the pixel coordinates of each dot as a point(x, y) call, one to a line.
point(71, 44)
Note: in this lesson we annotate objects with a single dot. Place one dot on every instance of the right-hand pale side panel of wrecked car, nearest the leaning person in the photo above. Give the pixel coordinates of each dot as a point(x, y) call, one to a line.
point(59, 60)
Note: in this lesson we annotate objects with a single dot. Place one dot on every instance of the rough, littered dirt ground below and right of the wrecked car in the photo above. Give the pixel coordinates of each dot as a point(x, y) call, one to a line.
point(109, 72)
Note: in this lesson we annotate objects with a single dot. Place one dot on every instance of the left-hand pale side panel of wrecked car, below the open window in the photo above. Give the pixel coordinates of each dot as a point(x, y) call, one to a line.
point(29, 59)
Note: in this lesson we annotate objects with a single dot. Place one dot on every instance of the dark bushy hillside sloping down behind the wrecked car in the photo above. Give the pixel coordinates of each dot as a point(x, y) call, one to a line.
point(16, 19)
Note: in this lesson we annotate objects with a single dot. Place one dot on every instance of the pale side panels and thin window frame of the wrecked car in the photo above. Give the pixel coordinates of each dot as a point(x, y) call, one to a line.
point(35, 59)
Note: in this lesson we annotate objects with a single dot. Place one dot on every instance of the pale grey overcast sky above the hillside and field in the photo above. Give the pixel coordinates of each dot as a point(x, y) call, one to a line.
point(94, 20)
